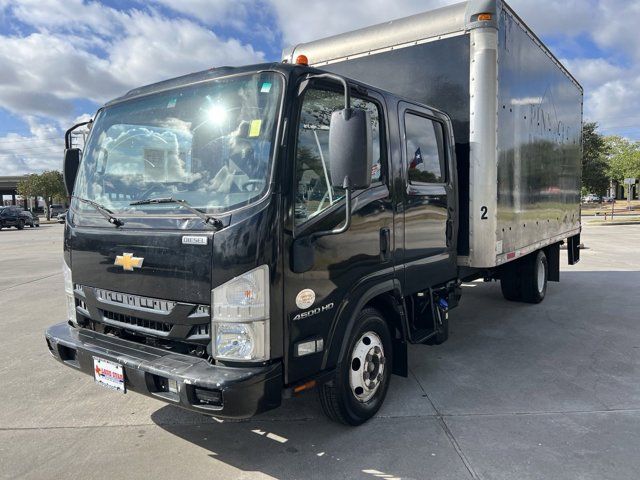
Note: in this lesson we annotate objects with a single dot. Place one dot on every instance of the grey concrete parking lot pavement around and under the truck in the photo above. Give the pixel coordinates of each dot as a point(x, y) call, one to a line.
point(549, 391)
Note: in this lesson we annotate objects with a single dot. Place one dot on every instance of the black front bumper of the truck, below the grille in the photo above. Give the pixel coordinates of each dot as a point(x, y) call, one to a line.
point(228, 392)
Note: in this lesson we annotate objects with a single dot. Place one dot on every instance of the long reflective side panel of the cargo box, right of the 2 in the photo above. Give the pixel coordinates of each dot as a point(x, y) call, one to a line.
point(539, 144)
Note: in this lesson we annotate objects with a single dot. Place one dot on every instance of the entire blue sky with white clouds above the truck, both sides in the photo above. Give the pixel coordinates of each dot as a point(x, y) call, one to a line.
point(59, 60)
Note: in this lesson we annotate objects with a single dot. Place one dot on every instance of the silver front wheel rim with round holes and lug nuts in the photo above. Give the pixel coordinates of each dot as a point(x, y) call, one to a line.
point(366, 371)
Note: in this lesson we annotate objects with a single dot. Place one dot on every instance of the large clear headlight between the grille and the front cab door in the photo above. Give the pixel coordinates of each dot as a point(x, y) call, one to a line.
point(240, 317)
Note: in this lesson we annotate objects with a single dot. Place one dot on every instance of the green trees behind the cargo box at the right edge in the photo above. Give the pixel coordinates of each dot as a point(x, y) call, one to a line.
point(607, 159)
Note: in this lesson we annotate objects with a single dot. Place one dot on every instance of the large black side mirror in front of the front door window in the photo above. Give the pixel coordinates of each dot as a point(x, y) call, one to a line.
point(350, 150)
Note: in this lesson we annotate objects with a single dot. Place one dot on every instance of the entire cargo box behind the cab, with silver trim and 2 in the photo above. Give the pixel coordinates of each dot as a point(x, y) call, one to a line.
point(516, 114)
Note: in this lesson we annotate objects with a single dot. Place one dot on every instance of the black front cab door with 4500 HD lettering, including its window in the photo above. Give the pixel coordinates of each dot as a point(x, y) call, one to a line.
point(343, 264)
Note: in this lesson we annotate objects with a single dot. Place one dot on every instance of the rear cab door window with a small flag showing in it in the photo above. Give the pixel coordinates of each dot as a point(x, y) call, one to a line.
point(424, 149)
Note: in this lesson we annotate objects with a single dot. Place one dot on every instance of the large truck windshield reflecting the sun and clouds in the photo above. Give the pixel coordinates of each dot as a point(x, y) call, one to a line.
point(209, 144)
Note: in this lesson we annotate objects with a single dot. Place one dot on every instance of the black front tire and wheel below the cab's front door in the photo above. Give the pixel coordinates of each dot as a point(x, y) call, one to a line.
point(361, 381)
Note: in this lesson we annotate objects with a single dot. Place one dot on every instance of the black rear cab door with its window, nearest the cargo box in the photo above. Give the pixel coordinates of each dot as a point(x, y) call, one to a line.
point(430, 225)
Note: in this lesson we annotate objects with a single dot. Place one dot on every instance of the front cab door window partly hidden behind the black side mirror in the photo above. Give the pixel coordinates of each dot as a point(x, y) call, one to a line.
point(312, 165)
